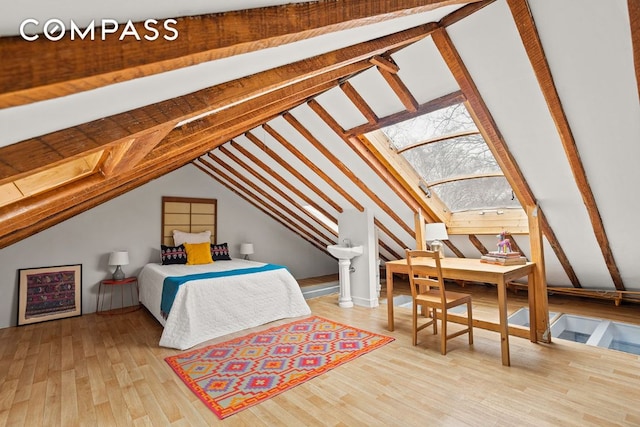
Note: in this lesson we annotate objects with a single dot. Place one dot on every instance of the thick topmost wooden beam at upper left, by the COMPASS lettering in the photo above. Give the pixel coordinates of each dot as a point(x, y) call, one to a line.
point(89, 64)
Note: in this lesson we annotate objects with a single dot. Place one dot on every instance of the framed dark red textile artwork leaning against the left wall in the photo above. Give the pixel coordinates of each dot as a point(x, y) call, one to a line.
point(49, 293)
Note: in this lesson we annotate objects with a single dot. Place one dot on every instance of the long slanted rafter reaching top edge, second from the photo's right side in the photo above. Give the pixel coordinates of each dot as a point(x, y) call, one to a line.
point(535, 51)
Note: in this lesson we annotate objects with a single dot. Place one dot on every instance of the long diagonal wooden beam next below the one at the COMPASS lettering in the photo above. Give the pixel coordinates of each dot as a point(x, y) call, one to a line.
point(122, 127)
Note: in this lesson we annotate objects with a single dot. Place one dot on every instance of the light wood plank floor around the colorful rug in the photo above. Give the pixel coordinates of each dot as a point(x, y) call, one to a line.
point(109, 371)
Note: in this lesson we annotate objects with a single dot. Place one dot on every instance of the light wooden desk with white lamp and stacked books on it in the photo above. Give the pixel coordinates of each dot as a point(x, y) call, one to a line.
point(473, 270)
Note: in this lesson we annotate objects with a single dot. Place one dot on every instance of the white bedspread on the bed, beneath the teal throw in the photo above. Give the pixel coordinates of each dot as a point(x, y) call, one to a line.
point(209, 308)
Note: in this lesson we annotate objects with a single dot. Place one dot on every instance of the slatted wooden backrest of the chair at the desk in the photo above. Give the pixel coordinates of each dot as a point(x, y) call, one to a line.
point(425, 271)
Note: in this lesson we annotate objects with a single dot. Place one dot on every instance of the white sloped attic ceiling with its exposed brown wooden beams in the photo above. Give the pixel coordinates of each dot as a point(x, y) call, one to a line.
point(281, 116)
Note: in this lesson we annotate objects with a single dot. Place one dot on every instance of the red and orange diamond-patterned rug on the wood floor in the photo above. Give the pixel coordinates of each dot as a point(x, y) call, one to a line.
point(236, 374)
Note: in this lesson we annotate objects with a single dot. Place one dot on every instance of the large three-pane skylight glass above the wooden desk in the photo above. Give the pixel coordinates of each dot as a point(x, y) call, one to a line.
point(448, 152)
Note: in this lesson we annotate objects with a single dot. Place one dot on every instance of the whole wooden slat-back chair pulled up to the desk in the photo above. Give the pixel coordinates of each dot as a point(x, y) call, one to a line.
point(428, 290)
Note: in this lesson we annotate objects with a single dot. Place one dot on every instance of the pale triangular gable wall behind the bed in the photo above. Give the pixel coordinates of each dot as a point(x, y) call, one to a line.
point(132, 222)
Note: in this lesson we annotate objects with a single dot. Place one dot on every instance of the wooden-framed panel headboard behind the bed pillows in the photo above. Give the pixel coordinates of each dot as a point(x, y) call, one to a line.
point(188, 214)
